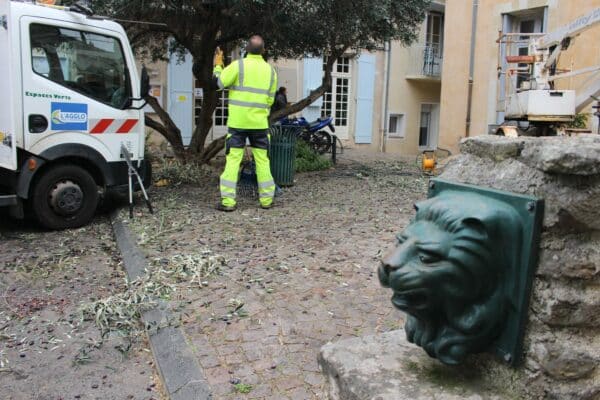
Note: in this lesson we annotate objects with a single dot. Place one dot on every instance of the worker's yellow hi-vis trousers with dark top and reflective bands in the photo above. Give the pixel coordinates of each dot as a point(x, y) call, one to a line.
point(234, 151)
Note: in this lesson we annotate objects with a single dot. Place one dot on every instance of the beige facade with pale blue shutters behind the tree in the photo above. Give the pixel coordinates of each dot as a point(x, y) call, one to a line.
point(388, 100)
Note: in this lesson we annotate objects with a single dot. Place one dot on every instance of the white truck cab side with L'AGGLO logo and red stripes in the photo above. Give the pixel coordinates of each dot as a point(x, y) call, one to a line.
point(76, 85)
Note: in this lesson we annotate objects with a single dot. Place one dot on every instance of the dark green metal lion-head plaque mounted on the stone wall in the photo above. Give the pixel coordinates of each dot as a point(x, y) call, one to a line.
point(463, 271)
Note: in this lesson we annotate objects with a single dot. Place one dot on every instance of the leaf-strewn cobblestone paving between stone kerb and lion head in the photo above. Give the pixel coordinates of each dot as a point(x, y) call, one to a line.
point(299, 275)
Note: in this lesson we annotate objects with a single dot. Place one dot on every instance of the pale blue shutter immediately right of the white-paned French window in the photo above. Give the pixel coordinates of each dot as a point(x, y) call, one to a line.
point(363, 132)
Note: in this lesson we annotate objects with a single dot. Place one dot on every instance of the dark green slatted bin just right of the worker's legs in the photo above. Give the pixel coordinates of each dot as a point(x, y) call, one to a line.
point(282, 153)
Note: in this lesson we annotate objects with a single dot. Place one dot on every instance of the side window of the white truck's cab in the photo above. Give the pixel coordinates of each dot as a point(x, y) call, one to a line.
point(89, 63)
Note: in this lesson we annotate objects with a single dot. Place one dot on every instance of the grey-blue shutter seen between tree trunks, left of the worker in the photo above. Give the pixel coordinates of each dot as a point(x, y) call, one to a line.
point(180, 80)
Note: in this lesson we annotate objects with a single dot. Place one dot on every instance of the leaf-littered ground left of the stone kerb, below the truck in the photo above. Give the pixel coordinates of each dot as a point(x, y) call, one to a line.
point(46, 350)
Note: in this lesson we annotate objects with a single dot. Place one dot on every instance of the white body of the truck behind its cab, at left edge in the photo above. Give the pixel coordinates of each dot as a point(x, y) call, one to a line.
point(8, 150)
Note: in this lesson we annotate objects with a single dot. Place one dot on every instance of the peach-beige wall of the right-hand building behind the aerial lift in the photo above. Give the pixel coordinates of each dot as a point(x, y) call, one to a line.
point(583, 53)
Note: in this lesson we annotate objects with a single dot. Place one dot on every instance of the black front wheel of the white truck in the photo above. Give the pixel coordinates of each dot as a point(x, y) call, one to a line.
point(65, 196)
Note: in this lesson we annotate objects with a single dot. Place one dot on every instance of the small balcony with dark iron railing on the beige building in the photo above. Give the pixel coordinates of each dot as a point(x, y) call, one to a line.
point(424, 63)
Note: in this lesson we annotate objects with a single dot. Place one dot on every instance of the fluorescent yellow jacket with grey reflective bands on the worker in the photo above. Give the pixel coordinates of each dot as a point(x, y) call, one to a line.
point(252, 84)
